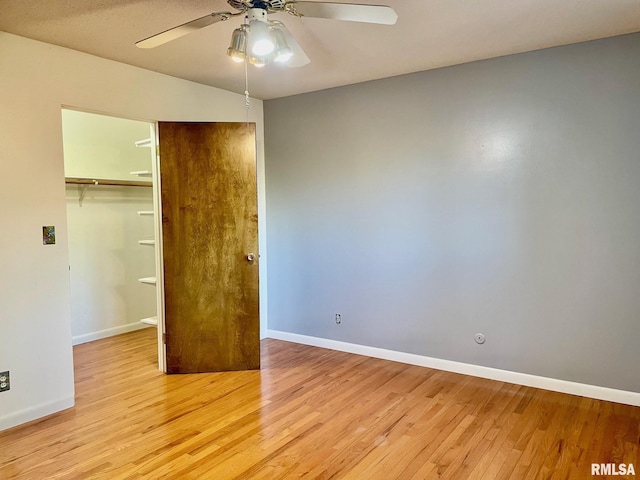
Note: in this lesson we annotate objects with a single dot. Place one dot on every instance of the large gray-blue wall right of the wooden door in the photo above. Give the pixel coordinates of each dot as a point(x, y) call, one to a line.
point(501, 197)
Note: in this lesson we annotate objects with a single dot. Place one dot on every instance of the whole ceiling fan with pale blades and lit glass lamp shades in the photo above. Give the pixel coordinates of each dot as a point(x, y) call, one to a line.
point(260, 40)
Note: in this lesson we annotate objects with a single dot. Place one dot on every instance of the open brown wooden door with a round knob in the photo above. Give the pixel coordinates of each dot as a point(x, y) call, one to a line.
point(209, 232)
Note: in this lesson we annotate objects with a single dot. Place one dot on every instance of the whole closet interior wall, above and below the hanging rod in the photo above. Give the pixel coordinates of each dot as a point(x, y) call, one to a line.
point(105, 228)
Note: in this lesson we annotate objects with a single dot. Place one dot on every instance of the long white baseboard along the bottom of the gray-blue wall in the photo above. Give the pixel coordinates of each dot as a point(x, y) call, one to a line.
point(545, 383)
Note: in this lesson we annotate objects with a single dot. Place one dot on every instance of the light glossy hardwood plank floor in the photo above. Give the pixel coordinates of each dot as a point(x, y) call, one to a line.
point(310, 413)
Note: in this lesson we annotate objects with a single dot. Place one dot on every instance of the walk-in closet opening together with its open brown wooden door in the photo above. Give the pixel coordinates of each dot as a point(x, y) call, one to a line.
point(165, 239)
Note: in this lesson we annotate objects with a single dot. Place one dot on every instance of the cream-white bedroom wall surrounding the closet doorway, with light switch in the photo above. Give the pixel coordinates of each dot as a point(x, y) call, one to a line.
point(37, 80)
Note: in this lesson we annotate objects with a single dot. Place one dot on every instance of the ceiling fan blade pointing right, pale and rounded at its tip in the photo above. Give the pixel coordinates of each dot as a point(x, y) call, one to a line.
point(352, 12)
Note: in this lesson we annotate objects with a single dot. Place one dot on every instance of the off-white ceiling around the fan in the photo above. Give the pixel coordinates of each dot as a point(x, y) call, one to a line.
point(429, 34)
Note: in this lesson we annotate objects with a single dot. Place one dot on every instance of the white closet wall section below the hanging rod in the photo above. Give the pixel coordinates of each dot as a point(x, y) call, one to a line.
point(106, 261)
